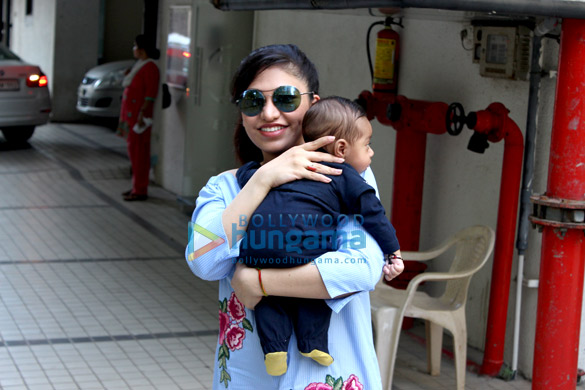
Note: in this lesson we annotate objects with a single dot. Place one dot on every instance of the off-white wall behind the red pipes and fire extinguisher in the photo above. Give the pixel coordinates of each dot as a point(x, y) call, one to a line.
point(461, 187)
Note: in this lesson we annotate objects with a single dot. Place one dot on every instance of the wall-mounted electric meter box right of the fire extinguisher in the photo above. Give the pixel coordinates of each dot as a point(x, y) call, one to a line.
point(503, 51)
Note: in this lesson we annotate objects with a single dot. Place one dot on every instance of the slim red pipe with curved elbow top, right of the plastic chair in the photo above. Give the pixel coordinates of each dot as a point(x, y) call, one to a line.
point(494, 122)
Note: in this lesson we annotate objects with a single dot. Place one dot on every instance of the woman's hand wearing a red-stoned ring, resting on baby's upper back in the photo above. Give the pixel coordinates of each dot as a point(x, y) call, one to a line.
point(300, 162)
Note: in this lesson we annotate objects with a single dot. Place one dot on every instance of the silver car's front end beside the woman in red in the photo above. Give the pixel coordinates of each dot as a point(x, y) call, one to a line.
point(100, 92)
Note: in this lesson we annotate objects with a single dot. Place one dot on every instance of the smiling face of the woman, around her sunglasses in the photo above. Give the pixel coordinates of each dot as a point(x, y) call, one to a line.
point(273, 131)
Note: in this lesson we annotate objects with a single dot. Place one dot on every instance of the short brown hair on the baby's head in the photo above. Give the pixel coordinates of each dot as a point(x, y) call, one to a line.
point(333, 115)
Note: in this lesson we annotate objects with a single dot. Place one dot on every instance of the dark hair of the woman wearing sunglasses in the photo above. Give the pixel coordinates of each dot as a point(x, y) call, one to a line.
point(292, 60)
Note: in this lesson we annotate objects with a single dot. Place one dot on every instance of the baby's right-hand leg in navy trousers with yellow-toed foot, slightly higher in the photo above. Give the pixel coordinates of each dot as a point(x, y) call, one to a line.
point(311, 324)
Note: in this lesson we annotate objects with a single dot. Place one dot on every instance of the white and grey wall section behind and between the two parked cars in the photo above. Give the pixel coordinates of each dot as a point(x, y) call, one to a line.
point(62, 37)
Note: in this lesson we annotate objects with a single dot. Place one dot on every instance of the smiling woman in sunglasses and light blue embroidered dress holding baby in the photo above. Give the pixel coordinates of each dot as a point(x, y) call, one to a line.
point(269, 131)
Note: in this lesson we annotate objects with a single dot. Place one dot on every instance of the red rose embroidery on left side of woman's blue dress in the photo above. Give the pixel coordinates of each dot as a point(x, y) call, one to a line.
point(232, 332)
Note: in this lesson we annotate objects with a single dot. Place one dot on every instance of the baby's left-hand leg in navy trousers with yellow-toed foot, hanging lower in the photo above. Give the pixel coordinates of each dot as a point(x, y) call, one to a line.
point(274, 327)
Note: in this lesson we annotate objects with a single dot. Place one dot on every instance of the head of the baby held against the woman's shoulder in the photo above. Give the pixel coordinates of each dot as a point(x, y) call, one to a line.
point(345, 120)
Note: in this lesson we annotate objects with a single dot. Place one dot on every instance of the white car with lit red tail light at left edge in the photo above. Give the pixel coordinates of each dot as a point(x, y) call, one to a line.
point(24, 97)
